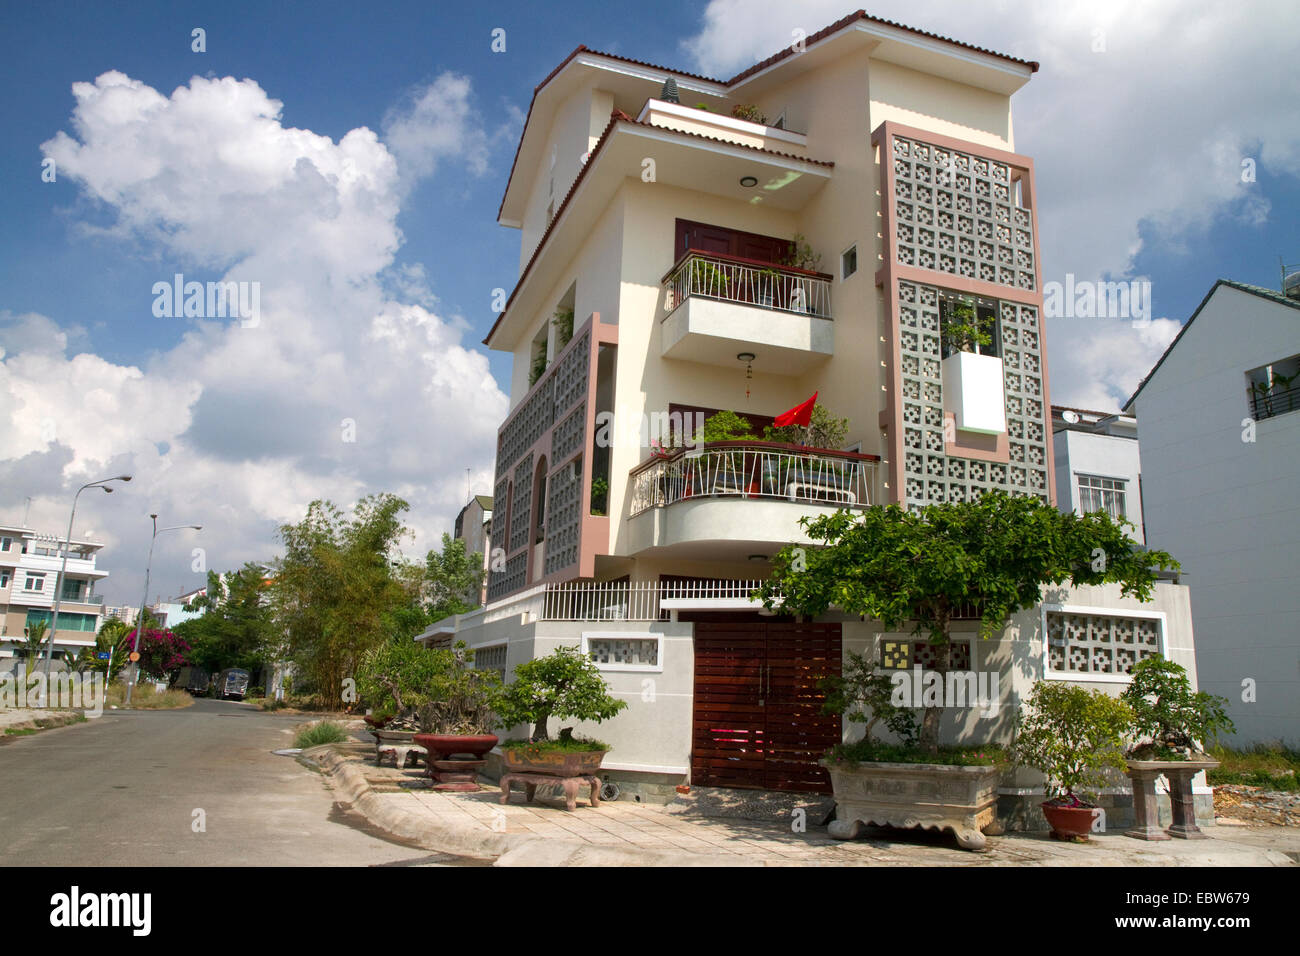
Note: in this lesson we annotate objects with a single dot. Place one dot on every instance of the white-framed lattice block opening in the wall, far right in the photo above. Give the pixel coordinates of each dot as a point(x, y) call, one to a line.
point(1097, 646)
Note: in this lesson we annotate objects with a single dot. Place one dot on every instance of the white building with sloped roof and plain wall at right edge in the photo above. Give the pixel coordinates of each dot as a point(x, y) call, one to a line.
point(1221, 460)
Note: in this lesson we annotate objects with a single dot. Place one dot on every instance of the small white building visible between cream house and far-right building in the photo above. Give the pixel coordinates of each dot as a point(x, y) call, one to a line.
point(1098, 465)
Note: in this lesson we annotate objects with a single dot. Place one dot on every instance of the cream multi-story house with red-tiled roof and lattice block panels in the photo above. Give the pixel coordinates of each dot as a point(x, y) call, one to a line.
point(692, 246)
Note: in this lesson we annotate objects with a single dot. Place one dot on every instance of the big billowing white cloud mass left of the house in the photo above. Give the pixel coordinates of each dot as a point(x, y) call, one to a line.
point(239, 429)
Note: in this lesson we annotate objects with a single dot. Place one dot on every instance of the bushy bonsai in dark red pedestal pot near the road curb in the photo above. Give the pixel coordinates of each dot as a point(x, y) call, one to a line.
point(457, 723)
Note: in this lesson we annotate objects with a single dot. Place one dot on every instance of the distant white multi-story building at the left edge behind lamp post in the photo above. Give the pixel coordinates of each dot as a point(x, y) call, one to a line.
point(29, 572)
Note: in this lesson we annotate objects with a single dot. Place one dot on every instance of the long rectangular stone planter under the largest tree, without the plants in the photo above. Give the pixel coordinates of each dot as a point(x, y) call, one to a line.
point(908, 795)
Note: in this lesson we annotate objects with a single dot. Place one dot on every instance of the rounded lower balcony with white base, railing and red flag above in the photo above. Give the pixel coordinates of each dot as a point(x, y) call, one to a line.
point(739, 499)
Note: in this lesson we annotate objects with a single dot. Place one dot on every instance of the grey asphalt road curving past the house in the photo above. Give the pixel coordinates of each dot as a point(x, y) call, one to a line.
point(132, 788)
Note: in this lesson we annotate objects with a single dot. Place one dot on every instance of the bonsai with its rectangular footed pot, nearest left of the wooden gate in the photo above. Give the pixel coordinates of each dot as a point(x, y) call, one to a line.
point(565, 685)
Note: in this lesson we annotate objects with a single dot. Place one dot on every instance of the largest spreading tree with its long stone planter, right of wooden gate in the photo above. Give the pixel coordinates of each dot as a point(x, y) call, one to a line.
point(915, 570)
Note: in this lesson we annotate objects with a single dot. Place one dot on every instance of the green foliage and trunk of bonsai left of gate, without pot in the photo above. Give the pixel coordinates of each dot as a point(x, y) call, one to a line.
point(565, 685)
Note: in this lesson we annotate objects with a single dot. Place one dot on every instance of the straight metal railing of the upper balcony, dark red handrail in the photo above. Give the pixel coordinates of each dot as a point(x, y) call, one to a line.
point(751, 283)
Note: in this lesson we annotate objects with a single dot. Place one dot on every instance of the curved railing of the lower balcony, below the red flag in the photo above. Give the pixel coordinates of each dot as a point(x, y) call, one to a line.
point(755, 470)
